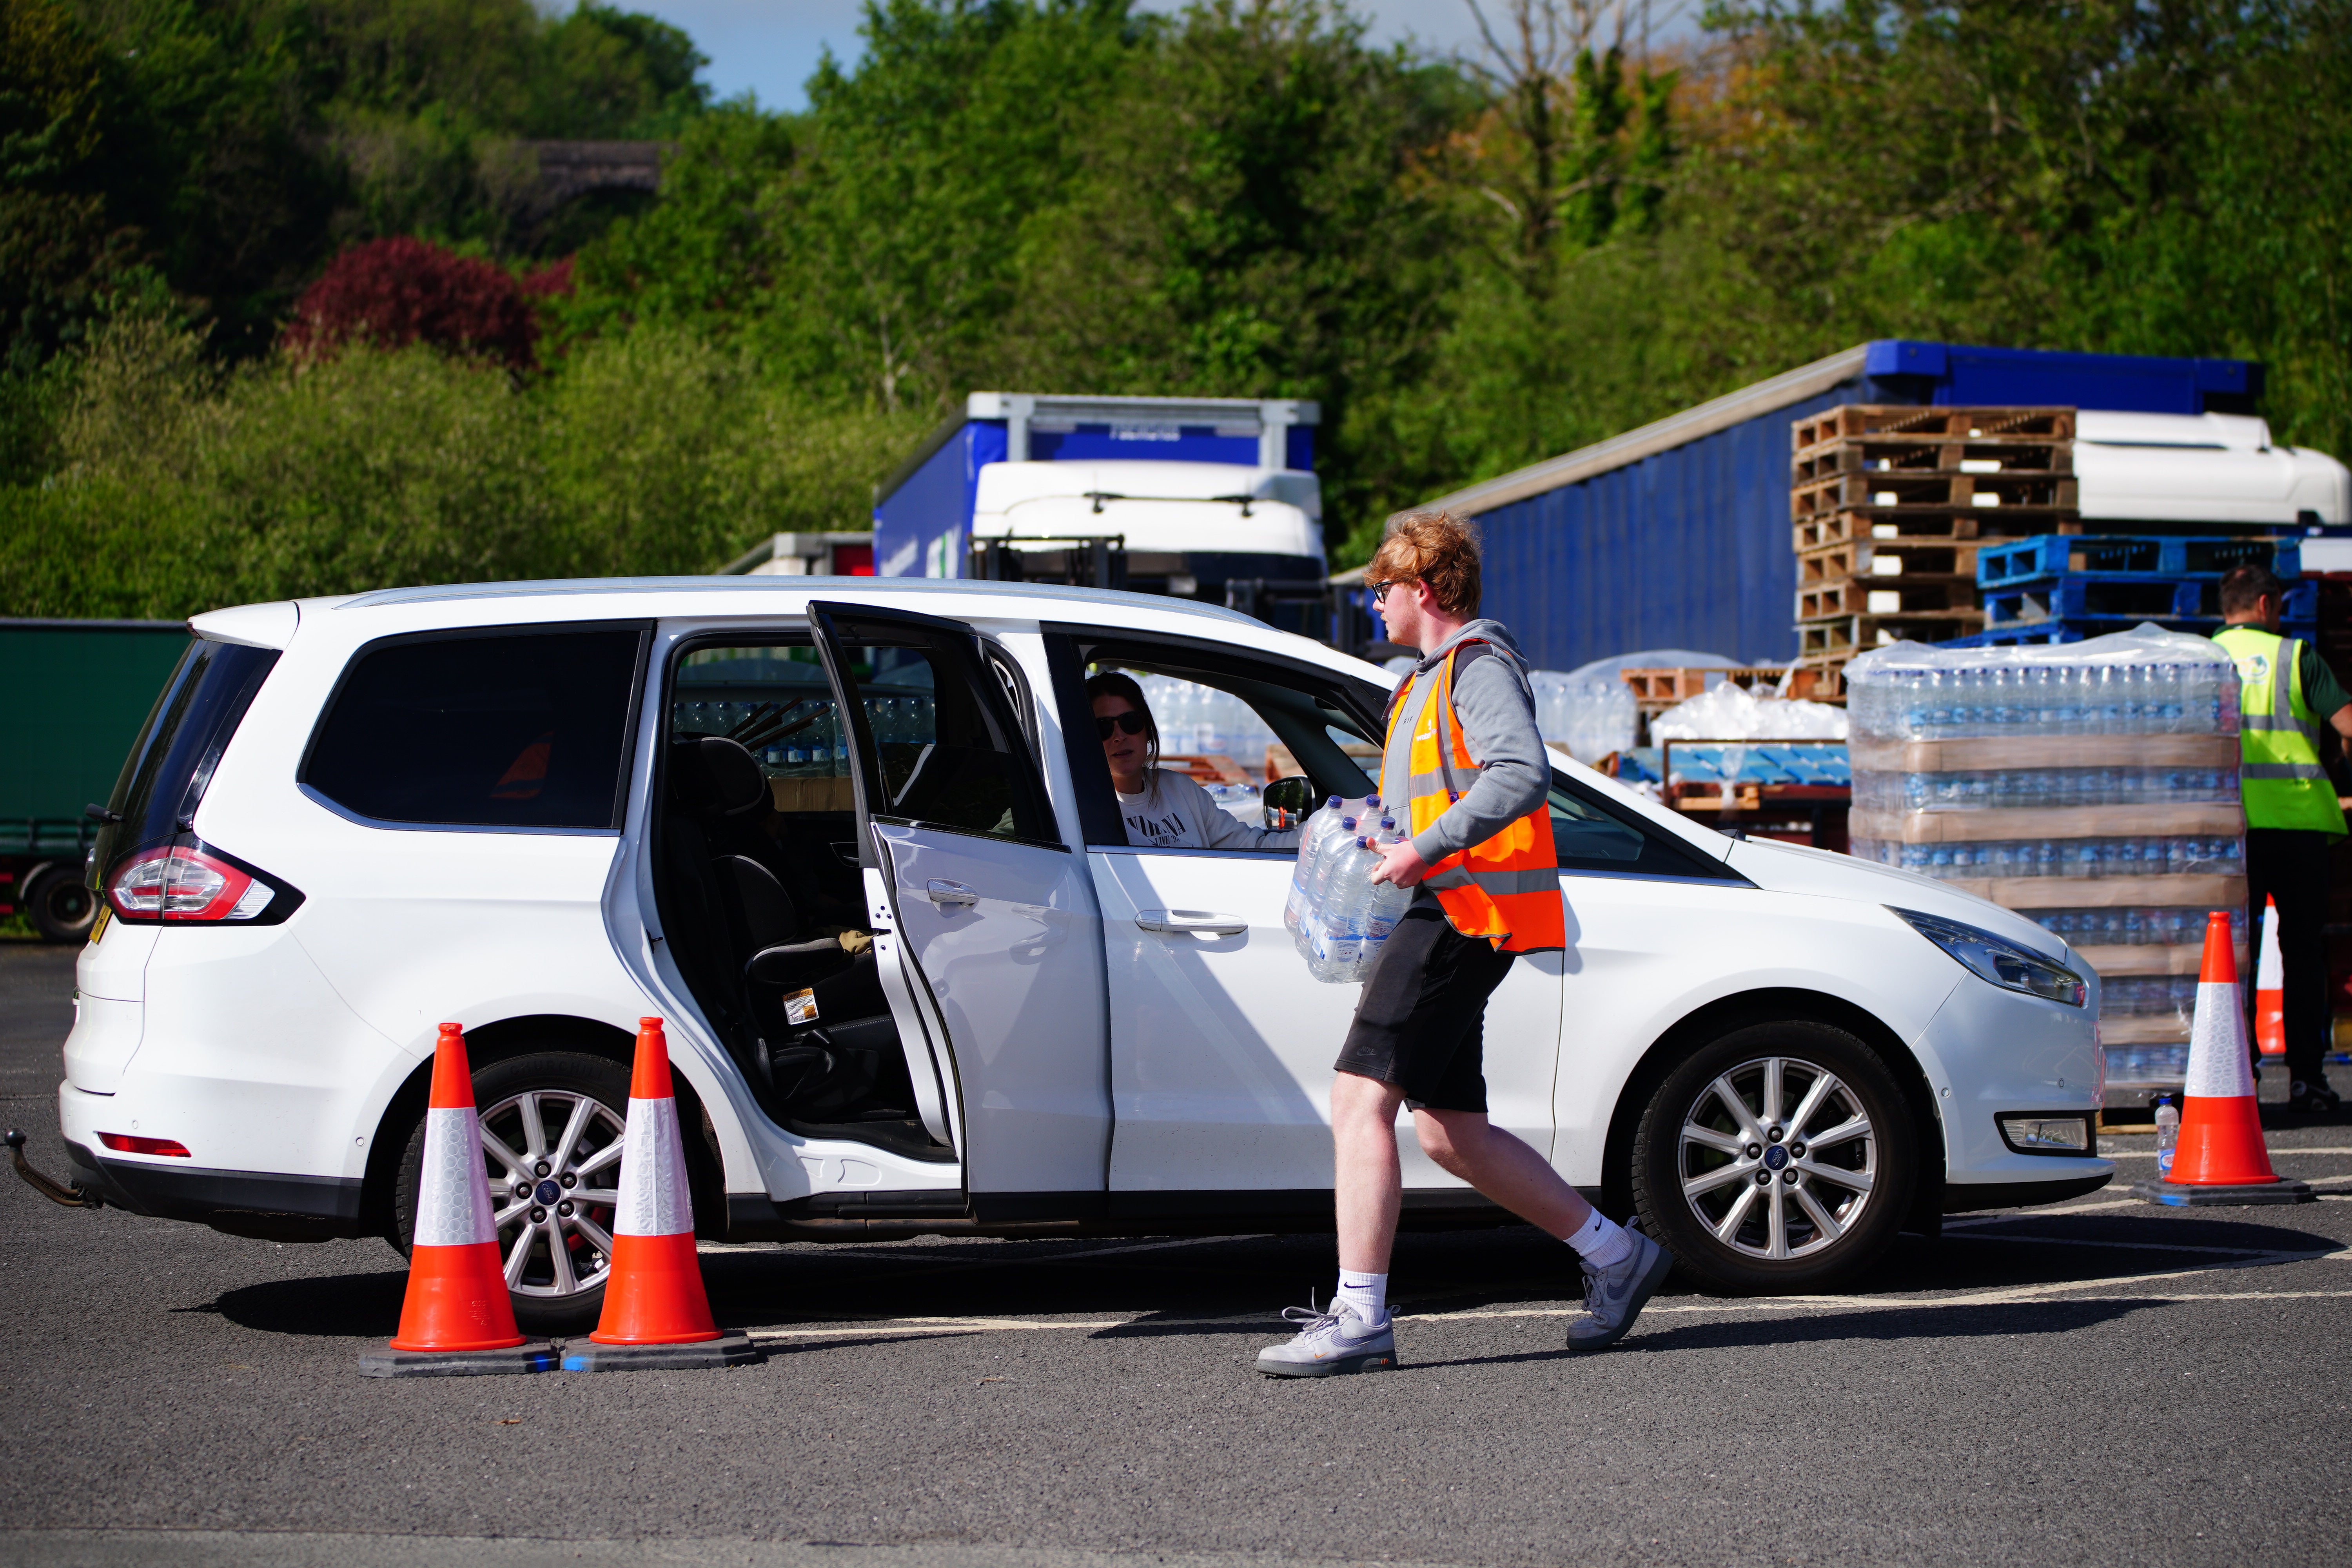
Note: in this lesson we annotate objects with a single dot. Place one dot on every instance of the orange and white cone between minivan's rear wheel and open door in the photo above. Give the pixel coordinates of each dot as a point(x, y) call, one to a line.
point(655, 1306)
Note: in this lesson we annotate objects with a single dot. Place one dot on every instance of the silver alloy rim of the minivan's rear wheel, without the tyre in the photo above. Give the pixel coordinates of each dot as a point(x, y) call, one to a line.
point(554, 1181)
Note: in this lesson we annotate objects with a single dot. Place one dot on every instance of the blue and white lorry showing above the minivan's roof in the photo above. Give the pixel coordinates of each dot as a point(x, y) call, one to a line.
point(1194, 497)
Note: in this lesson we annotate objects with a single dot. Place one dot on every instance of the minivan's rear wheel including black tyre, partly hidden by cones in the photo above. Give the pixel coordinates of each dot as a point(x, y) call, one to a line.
point(559, 1087)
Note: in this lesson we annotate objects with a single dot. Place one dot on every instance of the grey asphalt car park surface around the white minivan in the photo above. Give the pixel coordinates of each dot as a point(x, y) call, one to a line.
point(2097, 1383)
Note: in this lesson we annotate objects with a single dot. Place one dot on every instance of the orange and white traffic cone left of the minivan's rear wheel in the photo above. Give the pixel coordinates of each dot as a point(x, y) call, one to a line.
point(457, 1315)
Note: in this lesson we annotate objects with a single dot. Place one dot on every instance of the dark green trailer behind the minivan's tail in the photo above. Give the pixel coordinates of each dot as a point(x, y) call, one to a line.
point(79, 697)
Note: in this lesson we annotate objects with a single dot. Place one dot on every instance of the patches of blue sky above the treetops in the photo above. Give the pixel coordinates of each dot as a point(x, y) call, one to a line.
point(773, 46)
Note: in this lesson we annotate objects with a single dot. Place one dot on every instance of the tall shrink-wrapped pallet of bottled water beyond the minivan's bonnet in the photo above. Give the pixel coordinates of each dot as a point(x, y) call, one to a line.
point(2090, 786)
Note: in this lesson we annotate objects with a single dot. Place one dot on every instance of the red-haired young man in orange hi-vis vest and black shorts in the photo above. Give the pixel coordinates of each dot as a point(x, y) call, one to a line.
point(1466, 756)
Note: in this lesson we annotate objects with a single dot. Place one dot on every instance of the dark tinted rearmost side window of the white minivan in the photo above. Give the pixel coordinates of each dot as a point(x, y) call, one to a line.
point(483, 730)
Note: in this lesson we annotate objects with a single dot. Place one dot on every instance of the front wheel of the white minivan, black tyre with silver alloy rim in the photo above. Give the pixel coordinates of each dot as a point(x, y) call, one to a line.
point(1833, 1191)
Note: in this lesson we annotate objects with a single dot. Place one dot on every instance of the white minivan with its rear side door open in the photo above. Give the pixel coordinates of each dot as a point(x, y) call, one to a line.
point(857, 845)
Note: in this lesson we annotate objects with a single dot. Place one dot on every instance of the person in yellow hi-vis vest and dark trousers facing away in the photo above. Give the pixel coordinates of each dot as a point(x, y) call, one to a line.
point(2287, 692)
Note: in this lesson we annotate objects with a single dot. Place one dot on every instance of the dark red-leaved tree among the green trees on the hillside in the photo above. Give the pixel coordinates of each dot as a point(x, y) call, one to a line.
point(399, 293)
